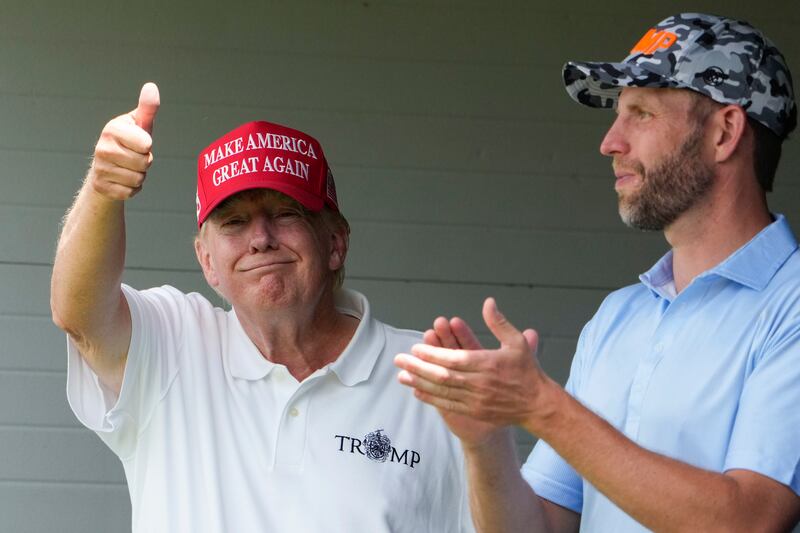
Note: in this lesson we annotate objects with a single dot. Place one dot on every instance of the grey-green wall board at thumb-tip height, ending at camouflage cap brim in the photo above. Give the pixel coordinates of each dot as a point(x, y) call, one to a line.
point(352, 84)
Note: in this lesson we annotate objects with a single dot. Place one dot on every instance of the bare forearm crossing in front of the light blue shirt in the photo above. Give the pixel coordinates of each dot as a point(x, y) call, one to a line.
point(661, 493)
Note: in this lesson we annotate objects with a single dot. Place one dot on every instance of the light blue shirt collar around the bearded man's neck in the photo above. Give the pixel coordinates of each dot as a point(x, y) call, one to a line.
point(753, 265)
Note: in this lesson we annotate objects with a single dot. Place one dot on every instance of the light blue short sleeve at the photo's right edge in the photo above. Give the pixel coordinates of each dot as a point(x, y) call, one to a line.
point(766, 432)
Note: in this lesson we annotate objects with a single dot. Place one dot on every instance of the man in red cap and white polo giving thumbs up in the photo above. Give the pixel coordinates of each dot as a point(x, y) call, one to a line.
point(281, 414)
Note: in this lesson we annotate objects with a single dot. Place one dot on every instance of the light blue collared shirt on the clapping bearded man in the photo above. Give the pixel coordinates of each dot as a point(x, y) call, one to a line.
point(710, 376)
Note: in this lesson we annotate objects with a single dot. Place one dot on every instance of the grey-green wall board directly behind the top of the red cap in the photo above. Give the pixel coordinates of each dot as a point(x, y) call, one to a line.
point(417, 142)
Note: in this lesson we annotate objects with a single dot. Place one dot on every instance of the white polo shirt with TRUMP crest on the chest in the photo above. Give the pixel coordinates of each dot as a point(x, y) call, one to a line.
point(215, 438)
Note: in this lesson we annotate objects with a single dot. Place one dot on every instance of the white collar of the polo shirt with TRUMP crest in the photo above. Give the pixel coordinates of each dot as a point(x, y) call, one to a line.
point(353, 366)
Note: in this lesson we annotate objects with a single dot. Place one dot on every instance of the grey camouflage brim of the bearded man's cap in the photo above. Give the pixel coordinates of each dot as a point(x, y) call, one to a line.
point(599, 84)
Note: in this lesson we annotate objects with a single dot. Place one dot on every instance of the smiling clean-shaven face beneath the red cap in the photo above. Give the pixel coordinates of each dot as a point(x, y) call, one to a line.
point(262, 251)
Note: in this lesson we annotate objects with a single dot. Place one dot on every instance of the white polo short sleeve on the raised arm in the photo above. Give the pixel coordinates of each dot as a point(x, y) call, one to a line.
point(150, 368)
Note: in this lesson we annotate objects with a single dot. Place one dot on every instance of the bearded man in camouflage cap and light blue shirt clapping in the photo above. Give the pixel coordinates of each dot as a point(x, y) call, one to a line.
point(681, 409)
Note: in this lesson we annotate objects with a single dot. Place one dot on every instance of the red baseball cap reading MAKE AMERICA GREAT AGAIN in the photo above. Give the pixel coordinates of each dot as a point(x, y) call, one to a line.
point(264, 155)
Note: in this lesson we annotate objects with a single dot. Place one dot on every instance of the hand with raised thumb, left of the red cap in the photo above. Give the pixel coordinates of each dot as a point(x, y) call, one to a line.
point(124, 151)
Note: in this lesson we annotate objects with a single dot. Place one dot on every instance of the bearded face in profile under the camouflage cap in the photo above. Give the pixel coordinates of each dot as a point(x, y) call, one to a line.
point(657, 144)
